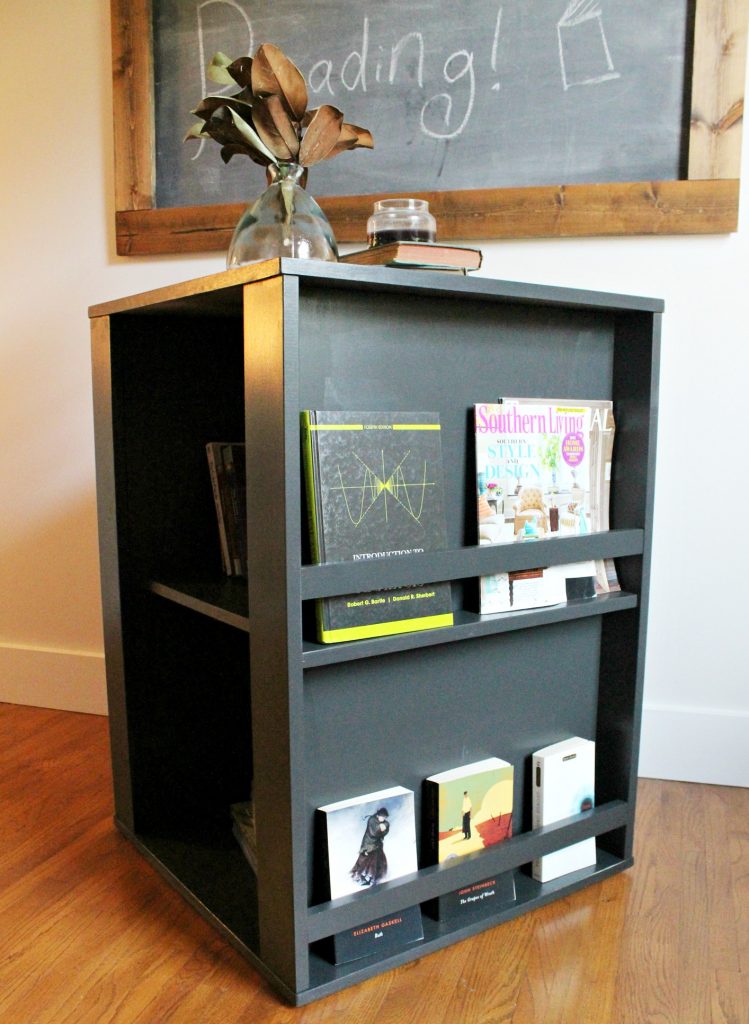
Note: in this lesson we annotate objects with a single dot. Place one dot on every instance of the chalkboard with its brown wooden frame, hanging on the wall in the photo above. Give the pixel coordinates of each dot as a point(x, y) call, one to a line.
point(631, 112)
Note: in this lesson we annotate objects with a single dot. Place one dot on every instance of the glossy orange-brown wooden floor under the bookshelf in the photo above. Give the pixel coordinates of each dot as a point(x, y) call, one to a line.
point(91, 933)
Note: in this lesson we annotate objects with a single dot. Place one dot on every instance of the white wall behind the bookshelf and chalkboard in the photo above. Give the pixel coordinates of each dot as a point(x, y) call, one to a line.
point(57, 258)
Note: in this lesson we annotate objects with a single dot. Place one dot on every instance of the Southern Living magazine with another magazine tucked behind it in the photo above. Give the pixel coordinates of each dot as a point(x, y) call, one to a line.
point(544, 471)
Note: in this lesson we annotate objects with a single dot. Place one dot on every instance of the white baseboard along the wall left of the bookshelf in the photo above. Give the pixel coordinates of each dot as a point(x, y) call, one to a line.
point(62, 679)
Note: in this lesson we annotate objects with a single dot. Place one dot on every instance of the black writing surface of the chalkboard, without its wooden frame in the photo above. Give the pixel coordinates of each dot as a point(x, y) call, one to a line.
point(494, 94)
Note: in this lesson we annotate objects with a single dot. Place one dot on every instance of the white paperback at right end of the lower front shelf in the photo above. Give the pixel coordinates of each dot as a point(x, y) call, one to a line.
point(564, 785)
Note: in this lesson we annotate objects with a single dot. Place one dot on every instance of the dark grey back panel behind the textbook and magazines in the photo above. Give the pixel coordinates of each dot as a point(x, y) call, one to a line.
point(373, 351)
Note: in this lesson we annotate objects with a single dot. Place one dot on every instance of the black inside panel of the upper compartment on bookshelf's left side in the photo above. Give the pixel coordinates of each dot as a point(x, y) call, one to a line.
point(178, 385)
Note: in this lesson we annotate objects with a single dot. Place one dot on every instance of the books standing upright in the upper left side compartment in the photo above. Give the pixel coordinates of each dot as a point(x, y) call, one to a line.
point(227, 466)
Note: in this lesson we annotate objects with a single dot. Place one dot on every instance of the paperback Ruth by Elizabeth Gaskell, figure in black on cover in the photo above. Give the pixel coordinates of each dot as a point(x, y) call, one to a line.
point(368, 840)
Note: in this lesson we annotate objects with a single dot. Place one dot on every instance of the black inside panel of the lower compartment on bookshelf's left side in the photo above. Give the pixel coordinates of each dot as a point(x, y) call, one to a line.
point(189, 712)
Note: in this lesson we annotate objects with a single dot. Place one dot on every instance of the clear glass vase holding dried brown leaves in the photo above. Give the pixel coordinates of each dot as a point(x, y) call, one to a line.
point(284, 222)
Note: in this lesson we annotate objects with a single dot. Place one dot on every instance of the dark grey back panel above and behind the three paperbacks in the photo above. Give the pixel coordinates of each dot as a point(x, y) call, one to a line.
point(398, 719)
